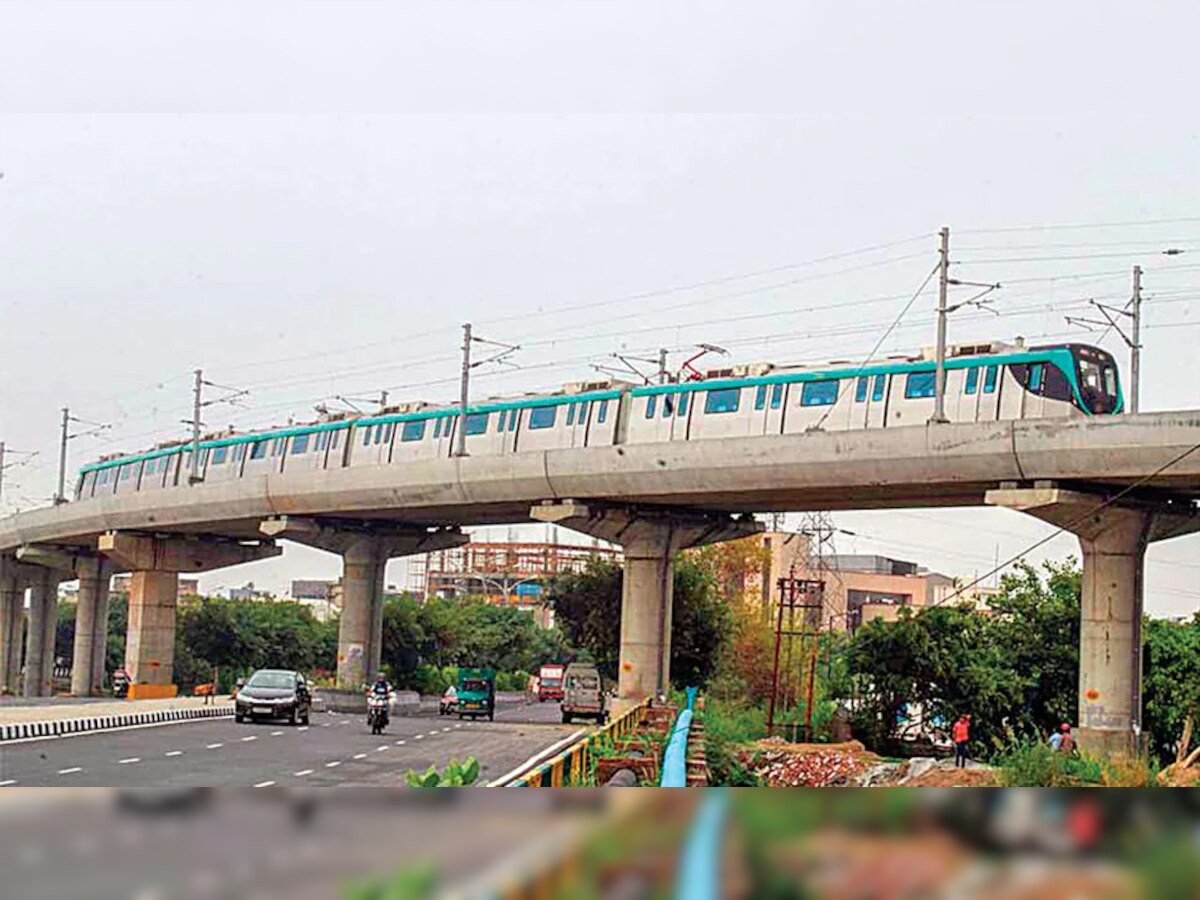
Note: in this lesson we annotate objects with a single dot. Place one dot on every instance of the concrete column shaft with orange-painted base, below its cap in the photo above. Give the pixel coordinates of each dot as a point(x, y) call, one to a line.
point(151, 640)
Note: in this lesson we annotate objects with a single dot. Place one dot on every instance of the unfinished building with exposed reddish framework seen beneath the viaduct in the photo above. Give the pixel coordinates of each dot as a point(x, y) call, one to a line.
point(501, 573)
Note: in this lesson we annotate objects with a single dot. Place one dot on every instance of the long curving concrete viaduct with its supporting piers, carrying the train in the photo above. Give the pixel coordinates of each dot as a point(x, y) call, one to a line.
point(657, 499)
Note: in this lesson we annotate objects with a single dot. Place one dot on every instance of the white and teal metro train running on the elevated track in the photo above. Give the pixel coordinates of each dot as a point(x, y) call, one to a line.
point(993, 382)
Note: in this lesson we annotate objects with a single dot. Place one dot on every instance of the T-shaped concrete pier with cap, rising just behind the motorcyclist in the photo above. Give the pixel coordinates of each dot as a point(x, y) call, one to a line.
point(365, 550)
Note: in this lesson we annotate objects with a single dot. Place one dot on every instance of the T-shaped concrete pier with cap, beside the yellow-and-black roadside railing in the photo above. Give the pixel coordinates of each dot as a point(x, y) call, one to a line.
point(650, 539)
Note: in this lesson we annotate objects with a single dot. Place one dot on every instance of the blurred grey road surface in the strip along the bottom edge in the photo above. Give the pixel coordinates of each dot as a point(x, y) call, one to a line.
point(248, 844)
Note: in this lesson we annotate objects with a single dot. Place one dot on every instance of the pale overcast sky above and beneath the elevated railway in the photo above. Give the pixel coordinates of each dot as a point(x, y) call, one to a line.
point(309, 200)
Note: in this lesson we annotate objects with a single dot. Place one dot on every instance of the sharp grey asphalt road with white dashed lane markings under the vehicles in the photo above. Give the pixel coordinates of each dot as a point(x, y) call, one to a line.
point(337, 751)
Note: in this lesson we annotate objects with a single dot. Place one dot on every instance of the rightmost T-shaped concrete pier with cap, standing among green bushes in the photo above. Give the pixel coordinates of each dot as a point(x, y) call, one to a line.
point(1114, 538)
